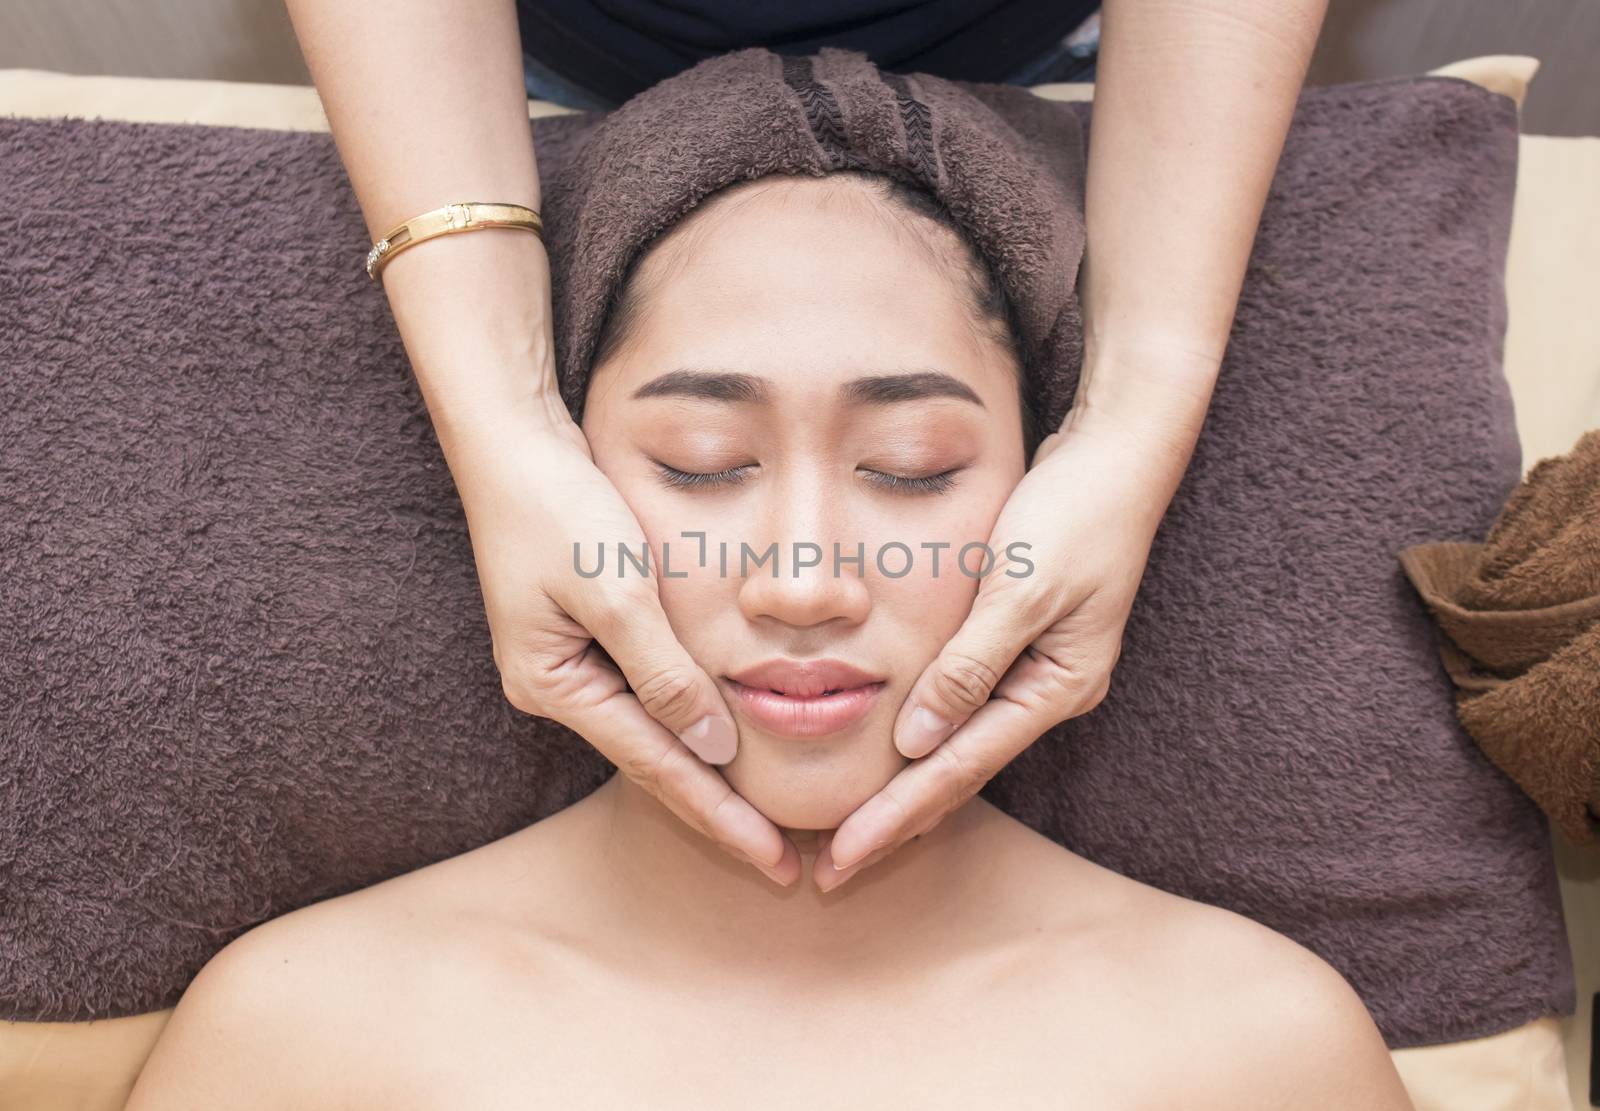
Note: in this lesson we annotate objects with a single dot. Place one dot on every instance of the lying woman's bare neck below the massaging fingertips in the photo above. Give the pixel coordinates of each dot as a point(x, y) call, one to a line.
point(697, 899)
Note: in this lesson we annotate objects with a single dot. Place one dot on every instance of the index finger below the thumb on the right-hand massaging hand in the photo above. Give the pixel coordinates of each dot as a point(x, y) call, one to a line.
point(924, 793)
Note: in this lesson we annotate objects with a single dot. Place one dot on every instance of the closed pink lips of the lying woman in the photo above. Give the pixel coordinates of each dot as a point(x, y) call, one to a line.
point(790, 697)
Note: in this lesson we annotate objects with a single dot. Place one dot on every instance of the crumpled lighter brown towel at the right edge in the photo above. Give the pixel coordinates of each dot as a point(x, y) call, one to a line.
point(1521, 622)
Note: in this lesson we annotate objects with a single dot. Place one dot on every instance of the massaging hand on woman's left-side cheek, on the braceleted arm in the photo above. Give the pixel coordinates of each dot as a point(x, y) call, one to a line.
point(532, 491)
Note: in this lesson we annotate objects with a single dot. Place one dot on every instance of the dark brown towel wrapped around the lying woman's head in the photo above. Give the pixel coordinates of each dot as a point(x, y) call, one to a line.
point(1006, 164)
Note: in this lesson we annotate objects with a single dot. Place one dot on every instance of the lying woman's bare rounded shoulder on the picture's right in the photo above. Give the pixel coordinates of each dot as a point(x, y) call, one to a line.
point(1199, 998)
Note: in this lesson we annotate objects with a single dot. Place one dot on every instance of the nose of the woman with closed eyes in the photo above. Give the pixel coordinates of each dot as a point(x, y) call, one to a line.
point(801, 532)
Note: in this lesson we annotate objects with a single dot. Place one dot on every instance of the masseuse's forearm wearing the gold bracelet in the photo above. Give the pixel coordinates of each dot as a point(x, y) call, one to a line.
point(428, 106)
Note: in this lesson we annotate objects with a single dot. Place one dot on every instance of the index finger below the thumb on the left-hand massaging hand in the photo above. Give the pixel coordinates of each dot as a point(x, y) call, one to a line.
point(642, 750)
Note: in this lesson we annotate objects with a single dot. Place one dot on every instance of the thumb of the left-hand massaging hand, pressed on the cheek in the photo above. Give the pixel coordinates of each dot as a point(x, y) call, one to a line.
point(633, 628)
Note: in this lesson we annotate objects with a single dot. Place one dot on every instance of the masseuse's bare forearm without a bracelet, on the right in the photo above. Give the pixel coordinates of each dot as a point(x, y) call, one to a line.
point(1193, 103)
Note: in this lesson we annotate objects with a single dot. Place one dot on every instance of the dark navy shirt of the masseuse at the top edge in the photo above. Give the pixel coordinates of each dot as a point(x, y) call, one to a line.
point(623, 47)
